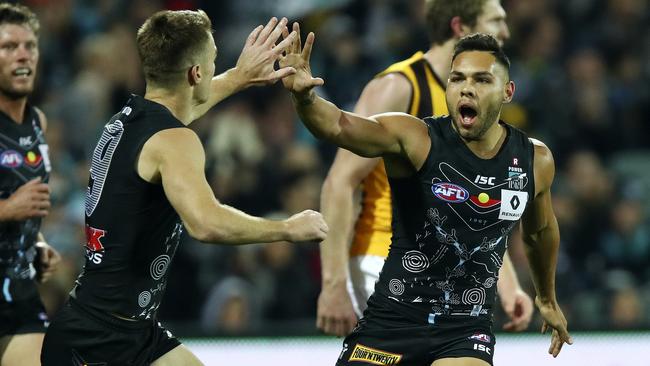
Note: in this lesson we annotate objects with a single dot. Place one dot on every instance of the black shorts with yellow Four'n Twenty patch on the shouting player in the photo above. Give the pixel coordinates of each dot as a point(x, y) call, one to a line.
point(383, 337)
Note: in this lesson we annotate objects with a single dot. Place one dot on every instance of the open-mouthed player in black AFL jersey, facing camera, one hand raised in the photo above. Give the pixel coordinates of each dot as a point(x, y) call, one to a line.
point(434, 299)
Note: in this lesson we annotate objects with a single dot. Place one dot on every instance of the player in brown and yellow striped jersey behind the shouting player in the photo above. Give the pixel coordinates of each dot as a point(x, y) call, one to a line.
point(356, 247)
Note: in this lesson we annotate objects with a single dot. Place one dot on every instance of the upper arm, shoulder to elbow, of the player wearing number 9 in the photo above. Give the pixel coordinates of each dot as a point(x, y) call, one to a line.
point(182, 171)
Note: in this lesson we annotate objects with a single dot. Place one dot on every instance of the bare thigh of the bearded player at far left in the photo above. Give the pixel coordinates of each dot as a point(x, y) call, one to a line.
point(21, 349)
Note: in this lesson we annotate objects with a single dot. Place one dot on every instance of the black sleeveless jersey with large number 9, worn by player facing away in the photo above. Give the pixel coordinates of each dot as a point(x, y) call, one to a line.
point(132, 231)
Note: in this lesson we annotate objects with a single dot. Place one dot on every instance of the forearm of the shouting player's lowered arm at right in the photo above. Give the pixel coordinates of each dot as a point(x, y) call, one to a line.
point(542, 251)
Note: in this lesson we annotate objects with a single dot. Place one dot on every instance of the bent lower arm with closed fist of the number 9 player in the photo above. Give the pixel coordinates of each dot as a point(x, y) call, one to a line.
point(175, 157)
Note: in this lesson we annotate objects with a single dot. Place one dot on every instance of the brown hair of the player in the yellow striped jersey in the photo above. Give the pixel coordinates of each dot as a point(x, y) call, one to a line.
point(439, 14)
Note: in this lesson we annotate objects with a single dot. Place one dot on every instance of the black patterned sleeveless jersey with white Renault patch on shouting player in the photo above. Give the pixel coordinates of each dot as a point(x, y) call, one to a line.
point(451, 223)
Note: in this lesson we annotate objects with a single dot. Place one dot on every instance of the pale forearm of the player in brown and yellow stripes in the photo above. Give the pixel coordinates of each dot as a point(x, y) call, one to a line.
point(338, 210)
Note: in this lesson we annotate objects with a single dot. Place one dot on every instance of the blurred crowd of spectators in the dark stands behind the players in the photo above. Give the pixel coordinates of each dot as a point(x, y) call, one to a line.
point(582, 69)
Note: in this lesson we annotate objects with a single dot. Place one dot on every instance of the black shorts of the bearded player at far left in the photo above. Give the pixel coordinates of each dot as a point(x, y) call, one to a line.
point(22, 317)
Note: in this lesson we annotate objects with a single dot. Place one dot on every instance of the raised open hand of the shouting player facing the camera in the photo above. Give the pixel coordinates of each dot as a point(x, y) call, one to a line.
point(297, 57)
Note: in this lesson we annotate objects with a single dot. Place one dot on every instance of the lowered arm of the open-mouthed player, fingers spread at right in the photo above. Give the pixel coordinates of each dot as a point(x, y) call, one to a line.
point(542, 237)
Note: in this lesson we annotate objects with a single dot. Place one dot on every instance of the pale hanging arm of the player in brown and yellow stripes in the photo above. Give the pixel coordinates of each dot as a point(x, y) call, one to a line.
point(335, 313)
